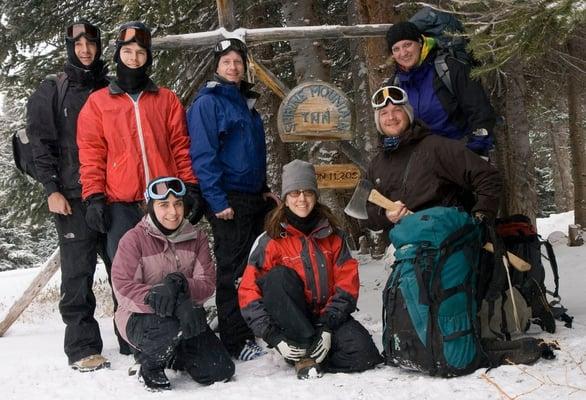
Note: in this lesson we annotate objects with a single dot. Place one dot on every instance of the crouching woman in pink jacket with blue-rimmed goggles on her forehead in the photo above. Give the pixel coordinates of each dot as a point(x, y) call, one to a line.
point(161, 275)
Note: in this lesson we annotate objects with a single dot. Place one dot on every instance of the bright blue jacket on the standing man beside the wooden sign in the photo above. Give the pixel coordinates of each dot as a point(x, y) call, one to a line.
point(228, 148)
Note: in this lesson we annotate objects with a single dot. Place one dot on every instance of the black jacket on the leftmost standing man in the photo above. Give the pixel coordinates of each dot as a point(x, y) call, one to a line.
point(52, 132)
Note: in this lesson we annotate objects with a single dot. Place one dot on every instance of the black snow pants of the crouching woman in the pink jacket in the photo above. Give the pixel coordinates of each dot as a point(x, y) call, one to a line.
point(158, 342)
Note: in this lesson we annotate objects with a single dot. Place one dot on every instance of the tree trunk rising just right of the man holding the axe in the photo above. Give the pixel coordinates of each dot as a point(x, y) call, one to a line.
point(518, 165)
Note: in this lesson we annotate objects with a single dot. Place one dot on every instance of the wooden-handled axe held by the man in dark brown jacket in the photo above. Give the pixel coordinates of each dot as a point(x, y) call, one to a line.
point(365, 192)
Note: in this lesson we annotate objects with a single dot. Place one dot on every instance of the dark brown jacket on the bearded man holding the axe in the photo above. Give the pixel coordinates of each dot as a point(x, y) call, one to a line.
point(429, 170)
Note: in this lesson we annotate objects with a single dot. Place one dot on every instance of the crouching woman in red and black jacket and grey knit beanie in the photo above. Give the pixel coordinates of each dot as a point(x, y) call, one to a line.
point(301, 284)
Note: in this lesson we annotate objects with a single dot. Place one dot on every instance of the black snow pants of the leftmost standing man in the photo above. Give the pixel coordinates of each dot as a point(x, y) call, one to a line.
point(79, 247)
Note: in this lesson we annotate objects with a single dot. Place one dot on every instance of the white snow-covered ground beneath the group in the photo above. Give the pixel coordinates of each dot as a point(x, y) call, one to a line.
point(33, 365)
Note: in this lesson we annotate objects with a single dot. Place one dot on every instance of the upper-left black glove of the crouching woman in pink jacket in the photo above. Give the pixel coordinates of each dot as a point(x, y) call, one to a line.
point(163, 296)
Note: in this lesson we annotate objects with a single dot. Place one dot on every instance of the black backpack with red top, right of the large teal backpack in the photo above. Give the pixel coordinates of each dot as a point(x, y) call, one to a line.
point(519, 236)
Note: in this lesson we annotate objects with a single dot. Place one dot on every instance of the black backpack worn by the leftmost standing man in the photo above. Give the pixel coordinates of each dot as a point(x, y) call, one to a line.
point(21, 146)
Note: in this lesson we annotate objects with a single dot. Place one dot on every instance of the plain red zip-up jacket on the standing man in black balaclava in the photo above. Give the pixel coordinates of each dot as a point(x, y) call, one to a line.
point(124, 144)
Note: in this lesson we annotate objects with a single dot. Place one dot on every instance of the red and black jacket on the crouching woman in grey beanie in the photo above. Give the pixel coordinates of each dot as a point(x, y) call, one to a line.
point(331, 288)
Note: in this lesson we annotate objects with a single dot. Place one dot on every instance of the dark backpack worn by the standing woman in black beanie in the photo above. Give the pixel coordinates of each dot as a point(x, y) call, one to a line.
point(445, 28)
